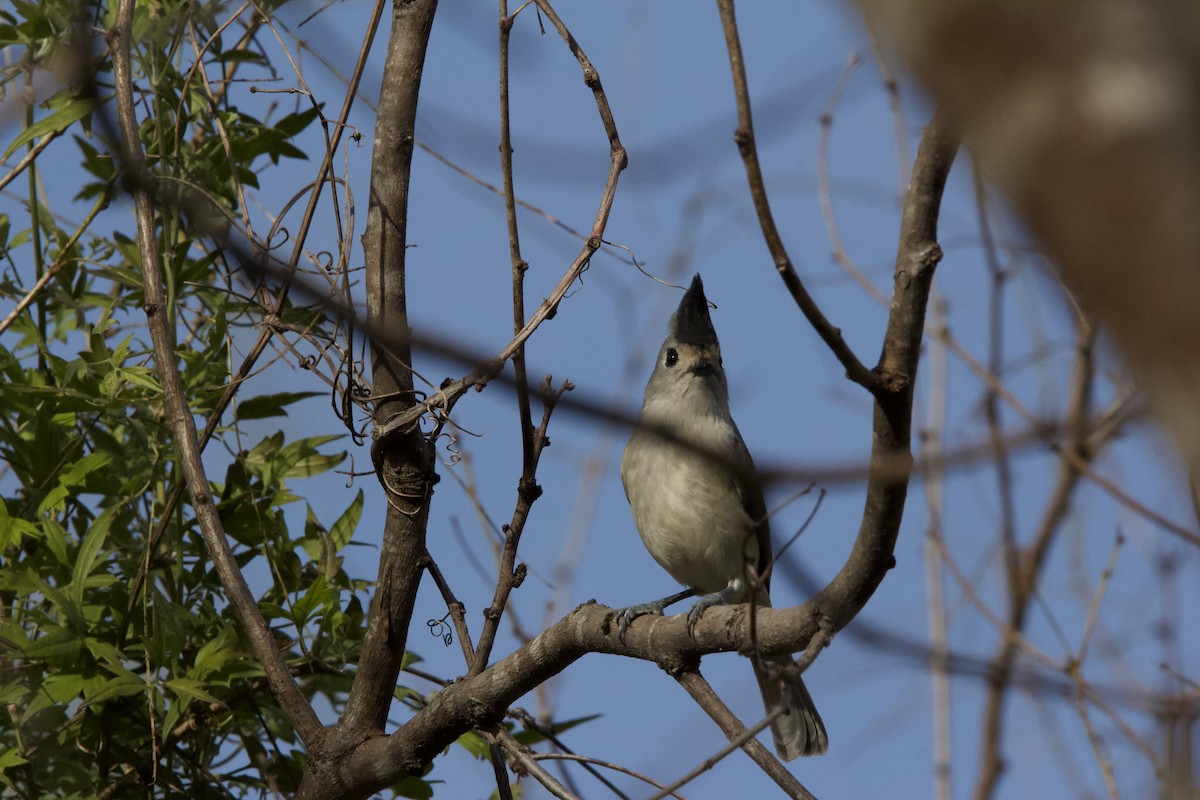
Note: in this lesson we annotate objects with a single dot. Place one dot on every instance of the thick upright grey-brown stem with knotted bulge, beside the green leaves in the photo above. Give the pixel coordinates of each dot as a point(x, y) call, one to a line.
point(404, 460)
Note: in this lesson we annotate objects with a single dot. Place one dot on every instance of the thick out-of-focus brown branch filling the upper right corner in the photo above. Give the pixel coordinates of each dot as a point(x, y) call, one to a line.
point(1085, 115)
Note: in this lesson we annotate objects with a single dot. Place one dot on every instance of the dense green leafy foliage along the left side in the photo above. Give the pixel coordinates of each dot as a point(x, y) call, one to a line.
point(122, 666)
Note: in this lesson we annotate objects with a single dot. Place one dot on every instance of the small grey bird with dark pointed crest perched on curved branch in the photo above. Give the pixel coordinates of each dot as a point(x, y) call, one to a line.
point(704, 520)
